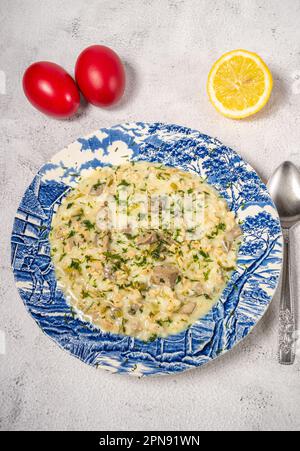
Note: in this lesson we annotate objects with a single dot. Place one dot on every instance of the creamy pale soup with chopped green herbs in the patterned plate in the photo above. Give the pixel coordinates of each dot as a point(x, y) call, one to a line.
point(140, 268)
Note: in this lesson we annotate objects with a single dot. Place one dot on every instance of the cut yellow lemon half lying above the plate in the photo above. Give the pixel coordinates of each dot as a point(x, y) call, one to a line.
point(239, 84)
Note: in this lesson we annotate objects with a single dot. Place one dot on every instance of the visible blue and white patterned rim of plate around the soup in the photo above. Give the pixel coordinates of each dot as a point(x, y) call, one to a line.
point(243, 302)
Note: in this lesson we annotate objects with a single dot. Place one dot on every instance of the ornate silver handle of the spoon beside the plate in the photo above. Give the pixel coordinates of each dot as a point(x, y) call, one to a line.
point(287, 324)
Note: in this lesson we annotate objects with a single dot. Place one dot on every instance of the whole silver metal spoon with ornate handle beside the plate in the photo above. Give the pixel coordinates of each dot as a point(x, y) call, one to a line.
point(284, 187)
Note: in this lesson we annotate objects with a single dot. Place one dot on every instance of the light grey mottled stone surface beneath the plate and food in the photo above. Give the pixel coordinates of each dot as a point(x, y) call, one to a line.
point(168, 47)
